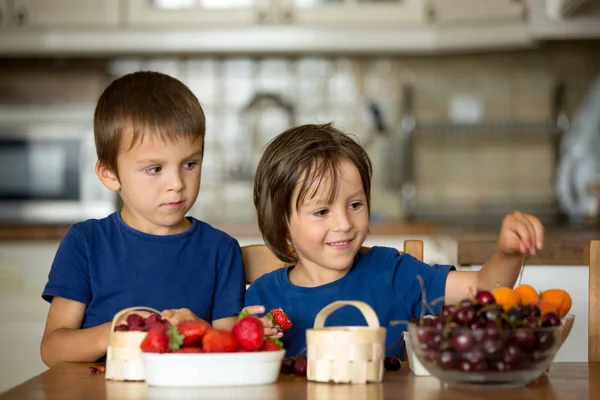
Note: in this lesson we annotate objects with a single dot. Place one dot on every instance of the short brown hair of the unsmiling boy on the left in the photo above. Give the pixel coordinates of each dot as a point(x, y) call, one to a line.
point(144, 103)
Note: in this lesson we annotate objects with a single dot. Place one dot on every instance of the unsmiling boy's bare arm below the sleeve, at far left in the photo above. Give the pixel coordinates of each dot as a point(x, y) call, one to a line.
point(63, 340)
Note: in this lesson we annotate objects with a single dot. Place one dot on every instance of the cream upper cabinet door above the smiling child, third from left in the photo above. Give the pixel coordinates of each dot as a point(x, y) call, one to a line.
point(353, 13)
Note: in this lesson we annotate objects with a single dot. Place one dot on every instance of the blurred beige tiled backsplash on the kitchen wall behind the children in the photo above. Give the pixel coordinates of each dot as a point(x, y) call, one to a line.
point(501, 85)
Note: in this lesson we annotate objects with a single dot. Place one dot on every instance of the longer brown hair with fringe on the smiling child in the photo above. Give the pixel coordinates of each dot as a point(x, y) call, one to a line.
point(307, 154)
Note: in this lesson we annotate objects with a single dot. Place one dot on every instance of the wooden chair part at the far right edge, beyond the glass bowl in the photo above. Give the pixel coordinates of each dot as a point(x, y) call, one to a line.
point(594, 303)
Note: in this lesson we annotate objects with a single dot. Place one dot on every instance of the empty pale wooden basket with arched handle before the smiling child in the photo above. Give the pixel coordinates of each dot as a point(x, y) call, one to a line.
point(346, 354)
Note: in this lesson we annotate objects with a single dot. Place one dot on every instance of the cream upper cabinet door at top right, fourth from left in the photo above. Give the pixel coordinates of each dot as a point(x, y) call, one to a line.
point(477, 11)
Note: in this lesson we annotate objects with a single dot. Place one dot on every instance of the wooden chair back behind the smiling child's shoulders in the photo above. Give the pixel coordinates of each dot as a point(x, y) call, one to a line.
point(258, 258)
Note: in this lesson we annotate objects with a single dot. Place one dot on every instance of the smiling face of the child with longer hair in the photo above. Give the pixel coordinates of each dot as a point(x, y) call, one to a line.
point(329, 236)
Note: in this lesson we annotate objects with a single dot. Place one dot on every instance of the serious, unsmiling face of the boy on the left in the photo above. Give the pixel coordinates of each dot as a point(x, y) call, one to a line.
point(159, 182)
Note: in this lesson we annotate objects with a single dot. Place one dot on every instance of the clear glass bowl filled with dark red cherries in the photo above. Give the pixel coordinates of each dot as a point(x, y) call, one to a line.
point(481, 342)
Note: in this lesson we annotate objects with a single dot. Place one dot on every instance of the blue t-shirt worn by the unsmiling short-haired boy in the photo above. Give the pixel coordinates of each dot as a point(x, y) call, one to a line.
point(109, 266)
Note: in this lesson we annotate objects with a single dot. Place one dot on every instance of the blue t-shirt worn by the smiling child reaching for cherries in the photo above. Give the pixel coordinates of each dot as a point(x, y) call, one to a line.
point(381, 277)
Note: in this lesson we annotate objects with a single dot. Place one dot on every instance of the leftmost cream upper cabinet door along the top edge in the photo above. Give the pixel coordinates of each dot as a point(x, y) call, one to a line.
point(64, 13)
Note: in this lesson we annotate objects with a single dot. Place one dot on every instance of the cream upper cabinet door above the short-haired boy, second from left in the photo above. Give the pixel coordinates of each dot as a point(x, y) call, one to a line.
point(197, 13)
